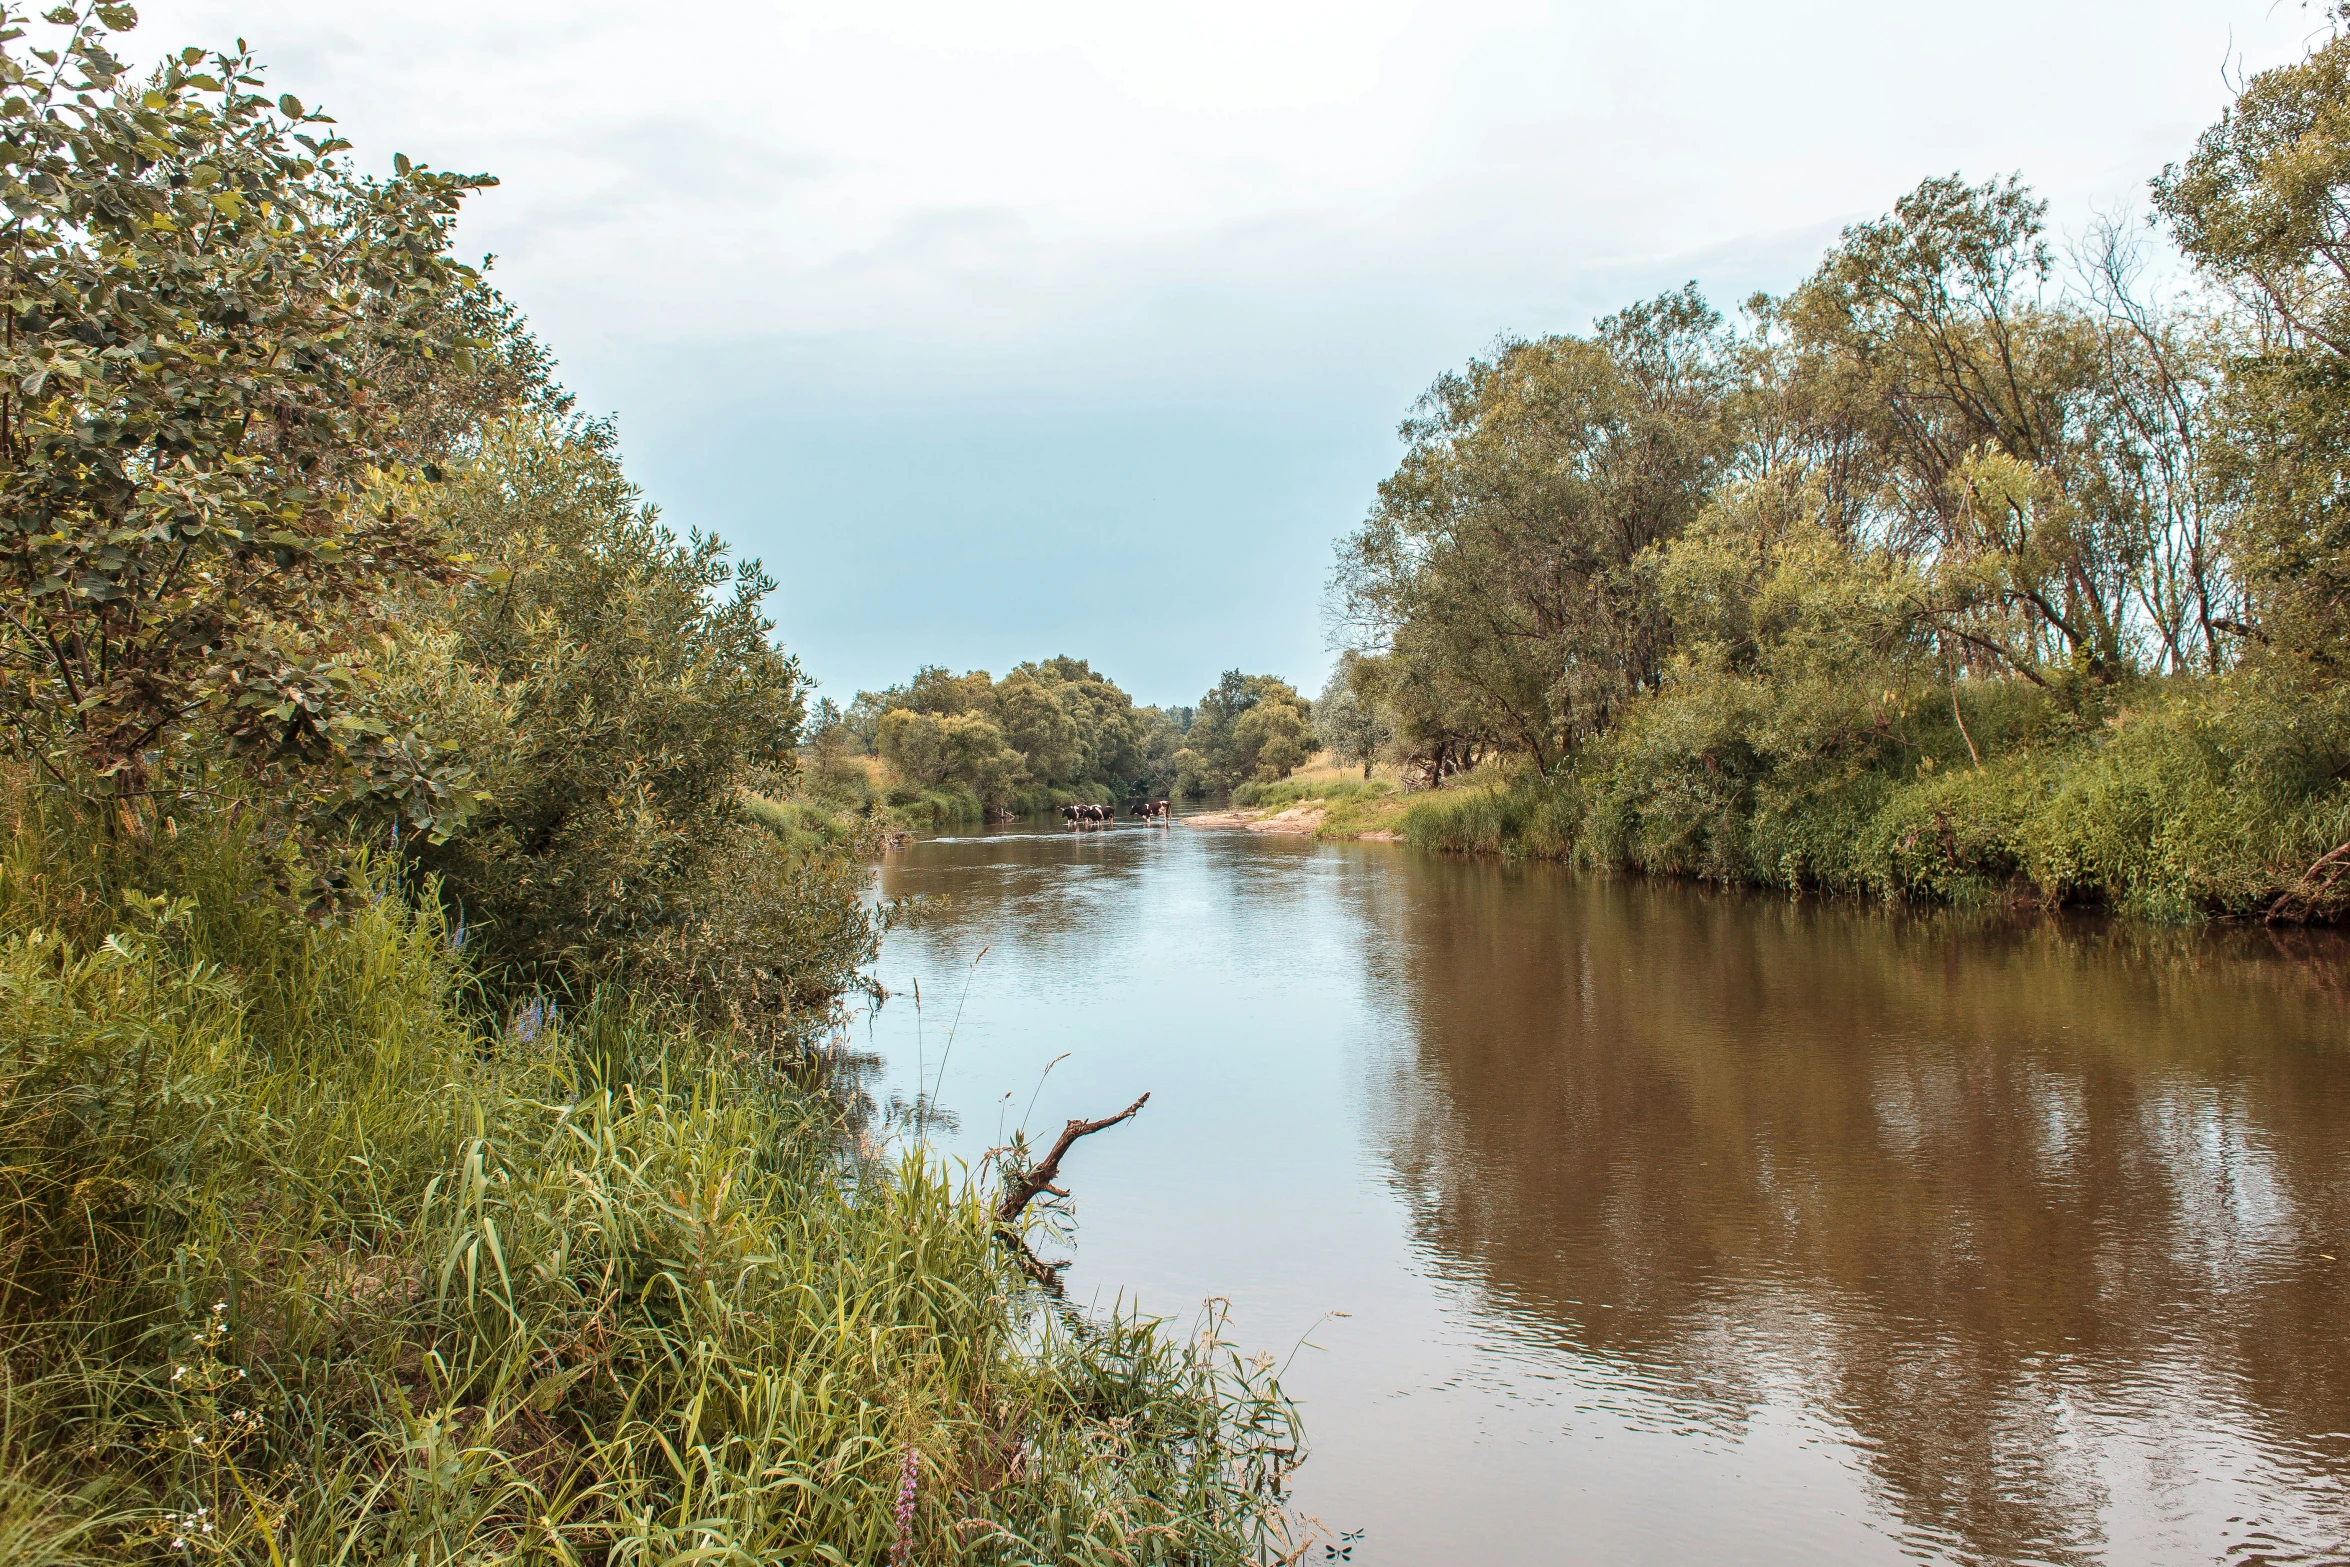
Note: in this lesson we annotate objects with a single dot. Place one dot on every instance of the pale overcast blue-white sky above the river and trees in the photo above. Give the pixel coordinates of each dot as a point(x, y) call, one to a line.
point(1042, 328)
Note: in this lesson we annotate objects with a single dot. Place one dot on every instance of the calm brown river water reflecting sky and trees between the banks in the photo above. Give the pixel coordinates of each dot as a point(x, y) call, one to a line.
point(1677, 1225)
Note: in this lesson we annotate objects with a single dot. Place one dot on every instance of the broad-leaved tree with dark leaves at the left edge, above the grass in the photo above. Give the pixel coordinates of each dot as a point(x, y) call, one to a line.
point(196, 295)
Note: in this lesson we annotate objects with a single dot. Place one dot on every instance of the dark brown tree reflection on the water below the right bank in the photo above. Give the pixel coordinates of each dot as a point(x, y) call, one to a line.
point(2034, 1213)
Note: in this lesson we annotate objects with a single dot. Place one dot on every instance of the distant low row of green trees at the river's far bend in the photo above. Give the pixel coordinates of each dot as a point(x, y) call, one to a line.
point(1049, 734)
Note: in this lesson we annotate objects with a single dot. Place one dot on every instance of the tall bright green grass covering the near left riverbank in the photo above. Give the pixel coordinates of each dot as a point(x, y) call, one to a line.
point(307, 1260)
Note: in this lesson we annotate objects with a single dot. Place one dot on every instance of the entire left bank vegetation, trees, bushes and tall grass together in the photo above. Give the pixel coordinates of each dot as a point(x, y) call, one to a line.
point(340, 1242)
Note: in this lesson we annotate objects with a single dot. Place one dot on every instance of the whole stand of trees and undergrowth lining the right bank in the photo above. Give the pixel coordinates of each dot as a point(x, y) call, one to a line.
point(1975, 565)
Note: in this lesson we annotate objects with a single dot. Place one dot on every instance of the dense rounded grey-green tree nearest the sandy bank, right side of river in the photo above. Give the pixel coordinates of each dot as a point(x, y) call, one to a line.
point(1503, 565)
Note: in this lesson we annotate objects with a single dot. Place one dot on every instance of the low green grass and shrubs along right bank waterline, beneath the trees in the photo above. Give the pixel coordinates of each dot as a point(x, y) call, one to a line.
point(2180, 802)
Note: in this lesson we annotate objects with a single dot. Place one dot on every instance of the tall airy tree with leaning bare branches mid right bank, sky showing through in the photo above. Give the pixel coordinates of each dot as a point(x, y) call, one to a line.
point(2036, 455)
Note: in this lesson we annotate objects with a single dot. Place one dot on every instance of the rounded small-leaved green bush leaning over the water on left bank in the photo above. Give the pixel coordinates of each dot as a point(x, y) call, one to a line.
point(626, 699)
